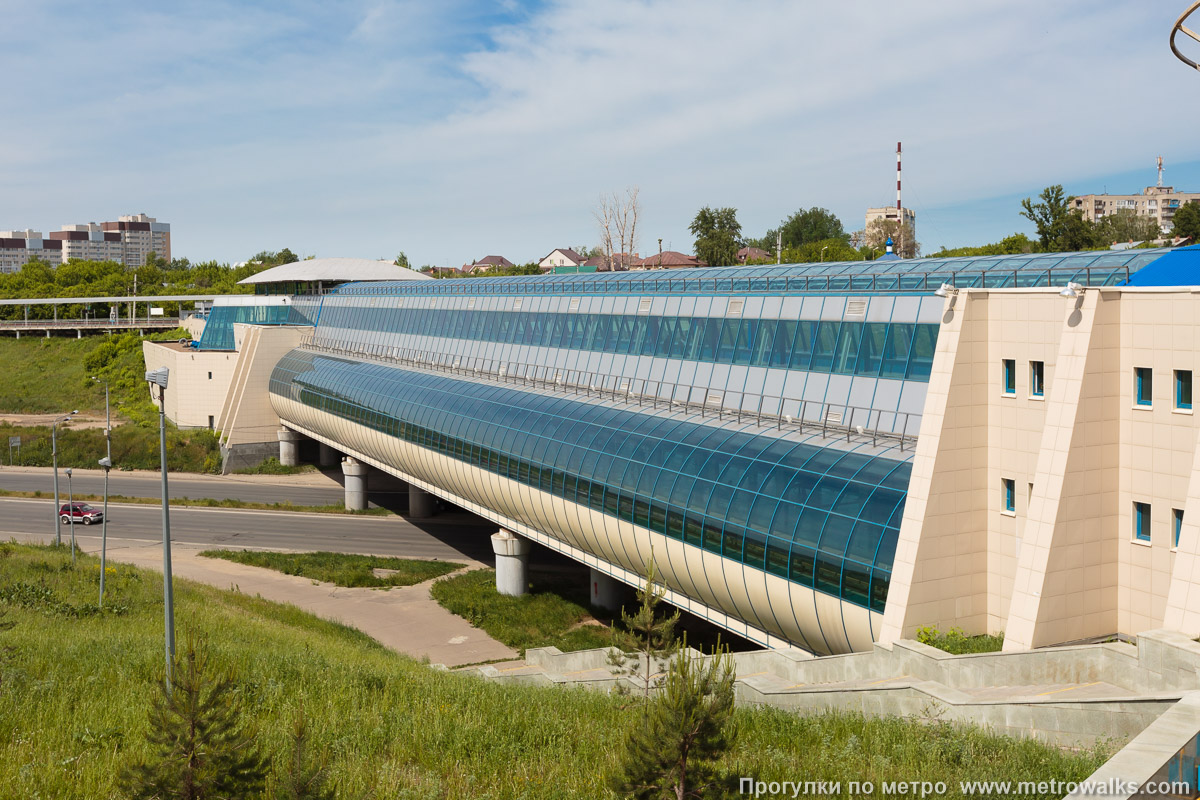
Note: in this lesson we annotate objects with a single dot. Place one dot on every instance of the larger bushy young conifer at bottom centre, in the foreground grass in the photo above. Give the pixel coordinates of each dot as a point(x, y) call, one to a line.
point(675, 751)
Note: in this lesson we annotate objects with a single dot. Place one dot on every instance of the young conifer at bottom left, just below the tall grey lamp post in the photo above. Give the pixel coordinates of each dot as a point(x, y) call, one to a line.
point(202, 749)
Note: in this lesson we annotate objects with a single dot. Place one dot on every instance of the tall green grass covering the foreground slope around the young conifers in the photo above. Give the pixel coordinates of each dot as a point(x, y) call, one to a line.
point(76, 685)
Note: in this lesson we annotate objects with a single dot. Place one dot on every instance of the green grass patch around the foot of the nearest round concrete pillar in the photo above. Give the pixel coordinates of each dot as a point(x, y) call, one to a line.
point(543, 618)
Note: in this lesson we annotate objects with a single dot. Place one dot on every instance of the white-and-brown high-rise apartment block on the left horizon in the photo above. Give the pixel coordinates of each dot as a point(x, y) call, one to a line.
point(129, 242)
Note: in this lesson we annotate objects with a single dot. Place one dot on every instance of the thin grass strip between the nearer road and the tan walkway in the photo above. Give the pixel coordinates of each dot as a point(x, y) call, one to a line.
point(341, 569)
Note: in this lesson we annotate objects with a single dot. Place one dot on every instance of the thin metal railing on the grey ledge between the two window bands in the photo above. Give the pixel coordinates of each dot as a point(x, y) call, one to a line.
point(765, 411)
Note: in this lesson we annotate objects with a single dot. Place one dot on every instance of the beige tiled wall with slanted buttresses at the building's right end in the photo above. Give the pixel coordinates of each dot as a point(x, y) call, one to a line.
point(1065, 564)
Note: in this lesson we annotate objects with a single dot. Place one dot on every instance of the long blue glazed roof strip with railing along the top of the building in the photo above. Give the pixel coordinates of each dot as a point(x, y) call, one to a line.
point(873, 282)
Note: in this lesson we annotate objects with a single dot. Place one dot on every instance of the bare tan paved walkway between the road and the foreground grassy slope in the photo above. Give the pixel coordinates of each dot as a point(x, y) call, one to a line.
point(406, 619)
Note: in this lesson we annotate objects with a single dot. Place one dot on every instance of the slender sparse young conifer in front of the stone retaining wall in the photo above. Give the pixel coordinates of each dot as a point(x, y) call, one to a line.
point(647, 637)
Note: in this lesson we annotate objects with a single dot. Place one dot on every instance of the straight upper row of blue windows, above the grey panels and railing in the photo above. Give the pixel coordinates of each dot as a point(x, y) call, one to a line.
point(901, 351)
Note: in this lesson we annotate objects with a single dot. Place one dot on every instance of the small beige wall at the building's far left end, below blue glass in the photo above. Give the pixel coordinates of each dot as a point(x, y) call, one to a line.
point(199, 382)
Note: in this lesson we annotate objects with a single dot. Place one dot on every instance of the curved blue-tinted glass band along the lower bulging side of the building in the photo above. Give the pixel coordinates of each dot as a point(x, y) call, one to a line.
point(823, 518)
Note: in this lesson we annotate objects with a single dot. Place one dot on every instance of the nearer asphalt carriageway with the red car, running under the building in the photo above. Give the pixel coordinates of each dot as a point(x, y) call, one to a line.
point(452, 536)
